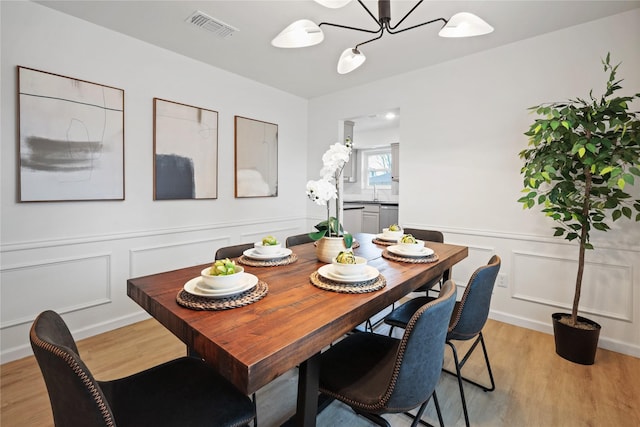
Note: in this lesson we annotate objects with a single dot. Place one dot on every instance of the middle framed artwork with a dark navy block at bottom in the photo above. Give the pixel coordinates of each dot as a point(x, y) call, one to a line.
point(185, 142)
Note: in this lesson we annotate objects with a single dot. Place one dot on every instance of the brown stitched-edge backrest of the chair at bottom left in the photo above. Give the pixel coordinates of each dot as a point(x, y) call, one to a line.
point(76, 397)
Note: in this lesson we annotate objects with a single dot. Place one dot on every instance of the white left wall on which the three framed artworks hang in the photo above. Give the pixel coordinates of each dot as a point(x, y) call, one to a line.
point(75, 257)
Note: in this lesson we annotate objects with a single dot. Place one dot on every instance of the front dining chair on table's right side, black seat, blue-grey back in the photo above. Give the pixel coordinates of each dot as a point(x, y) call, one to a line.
point(376, 374)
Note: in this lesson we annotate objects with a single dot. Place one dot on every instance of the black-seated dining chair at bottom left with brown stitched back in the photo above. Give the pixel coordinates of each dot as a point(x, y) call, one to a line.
point(182, 392)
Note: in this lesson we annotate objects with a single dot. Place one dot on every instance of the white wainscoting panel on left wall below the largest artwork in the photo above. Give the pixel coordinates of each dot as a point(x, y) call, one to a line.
point(63, 285)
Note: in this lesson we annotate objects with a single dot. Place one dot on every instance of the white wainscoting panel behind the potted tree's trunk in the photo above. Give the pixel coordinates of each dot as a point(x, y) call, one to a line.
point(607, 288)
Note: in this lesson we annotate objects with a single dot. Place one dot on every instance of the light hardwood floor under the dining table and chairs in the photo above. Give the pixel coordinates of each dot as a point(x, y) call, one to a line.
point(534, 387)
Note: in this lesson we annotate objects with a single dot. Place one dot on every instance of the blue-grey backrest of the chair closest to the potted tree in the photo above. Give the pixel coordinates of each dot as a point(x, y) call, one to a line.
point(471, 313)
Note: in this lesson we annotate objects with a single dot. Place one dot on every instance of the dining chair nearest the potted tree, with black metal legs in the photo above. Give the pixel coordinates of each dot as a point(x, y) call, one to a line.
point(469, 317)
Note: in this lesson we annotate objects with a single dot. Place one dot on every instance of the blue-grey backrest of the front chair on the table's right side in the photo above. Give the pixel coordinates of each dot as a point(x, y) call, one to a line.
point(419, 358)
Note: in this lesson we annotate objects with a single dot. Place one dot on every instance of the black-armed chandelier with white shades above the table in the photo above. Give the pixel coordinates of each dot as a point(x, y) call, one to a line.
point(303, 33)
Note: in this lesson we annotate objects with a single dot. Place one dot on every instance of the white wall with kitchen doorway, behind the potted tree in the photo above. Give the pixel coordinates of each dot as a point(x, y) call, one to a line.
point(461, 130)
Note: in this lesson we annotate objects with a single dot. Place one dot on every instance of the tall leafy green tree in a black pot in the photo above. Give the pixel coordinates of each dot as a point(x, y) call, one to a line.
point(580, 157)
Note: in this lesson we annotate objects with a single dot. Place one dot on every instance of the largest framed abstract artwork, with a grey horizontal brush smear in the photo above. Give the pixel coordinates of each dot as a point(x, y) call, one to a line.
point(71, 138)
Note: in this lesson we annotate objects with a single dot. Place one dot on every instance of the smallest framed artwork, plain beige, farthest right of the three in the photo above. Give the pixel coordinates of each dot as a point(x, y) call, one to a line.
point(256, 158)
